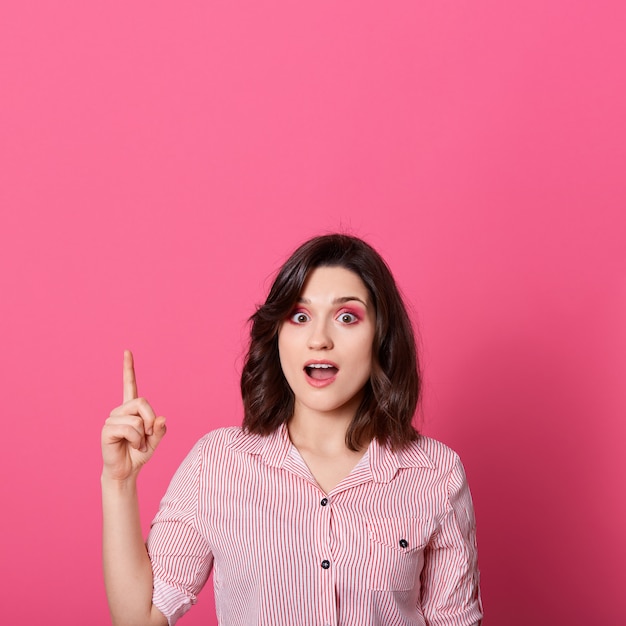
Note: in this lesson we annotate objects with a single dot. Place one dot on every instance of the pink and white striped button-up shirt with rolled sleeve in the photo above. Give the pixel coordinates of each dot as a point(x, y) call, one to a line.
point(393, 544)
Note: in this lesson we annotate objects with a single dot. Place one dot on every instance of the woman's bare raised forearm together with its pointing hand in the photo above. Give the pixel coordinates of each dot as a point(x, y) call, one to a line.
point(129, 438)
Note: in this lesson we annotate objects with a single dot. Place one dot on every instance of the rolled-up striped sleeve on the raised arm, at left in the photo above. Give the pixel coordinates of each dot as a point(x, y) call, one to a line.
point(179, 551)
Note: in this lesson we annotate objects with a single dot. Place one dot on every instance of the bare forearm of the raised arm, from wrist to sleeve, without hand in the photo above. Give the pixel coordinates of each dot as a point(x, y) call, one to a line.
point(127, 569)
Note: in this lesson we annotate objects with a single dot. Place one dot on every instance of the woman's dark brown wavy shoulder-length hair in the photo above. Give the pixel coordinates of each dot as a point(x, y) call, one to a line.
point(390, 396)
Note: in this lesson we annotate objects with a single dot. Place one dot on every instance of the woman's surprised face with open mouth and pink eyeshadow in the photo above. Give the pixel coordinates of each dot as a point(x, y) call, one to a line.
point(325, 345)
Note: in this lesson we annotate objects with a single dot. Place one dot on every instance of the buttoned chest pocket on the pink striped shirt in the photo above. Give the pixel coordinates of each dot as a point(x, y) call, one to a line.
point(396, 552)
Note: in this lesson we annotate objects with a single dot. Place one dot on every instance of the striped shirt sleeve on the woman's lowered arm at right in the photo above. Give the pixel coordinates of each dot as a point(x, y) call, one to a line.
point(450, 577)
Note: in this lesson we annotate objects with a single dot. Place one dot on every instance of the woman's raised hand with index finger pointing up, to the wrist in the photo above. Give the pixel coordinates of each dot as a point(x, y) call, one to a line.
point(131, 433)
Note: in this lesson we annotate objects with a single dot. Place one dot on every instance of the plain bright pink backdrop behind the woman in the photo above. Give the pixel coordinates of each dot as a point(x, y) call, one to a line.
point(160, 160)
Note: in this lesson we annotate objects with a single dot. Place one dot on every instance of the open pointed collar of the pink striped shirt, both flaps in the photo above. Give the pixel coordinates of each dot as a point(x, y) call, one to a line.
point(383, 461)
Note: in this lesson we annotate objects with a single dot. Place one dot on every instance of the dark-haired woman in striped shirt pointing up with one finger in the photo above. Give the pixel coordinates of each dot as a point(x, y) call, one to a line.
point(327, 506)
